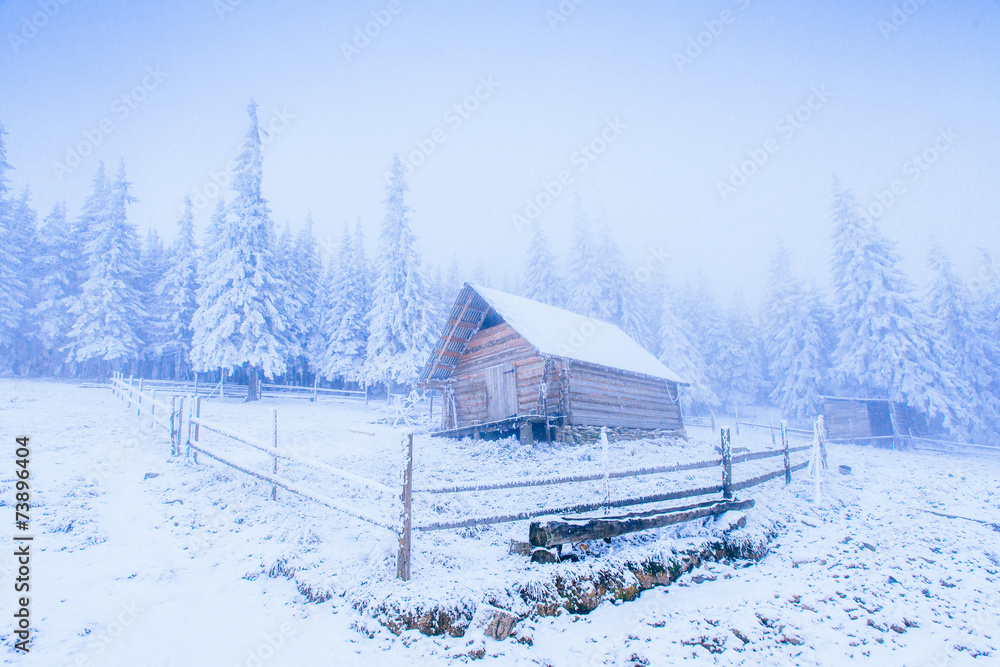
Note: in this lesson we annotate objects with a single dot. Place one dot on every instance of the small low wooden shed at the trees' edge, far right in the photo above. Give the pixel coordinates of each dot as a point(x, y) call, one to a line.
point(873, 421)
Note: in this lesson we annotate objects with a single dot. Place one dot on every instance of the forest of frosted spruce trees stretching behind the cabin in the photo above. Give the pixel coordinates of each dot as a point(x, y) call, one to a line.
point(87, 296)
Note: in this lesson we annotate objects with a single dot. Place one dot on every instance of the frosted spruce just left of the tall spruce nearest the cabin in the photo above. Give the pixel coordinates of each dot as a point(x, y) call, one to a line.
point(345, 327)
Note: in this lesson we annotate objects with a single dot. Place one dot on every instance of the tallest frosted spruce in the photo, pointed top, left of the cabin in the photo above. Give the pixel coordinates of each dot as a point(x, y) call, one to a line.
point(240, 321)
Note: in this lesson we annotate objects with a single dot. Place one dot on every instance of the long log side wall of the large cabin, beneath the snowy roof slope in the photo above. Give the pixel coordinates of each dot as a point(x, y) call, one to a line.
point(603, 397)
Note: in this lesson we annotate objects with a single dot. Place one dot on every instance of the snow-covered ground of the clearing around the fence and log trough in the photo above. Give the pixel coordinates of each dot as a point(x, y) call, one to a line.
point(146, 560)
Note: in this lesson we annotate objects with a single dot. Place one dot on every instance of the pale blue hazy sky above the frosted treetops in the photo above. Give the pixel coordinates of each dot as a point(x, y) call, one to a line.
point(685, 127)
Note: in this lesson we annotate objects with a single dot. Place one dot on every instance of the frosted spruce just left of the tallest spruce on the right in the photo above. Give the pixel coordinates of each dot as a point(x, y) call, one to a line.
point(795, 340)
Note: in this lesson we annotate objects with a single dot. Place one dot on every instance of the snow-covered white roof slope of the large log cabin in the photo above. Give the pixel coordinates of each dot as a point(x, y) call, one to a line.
point(561, 333)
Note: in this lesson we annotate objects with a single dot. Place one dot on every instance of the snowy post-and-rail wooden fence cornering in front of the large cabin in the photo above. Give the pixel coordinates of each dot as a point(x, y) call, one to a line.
point(186, 440)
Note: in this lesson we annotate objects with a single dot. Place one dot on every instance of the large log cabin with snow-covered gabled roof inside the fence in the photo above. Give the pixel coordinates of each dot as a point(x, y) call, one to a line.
point(507, 364)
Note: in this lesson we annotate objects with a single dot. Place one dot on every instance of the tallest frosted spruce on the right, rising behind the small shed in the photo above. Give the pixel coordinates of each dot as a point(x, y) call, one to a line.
point(883, 350)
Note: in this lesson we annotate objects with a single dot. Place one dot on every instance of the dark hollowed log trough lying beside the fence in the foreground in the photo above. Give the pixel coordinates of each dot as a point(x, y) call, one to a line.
point(555, 531)
